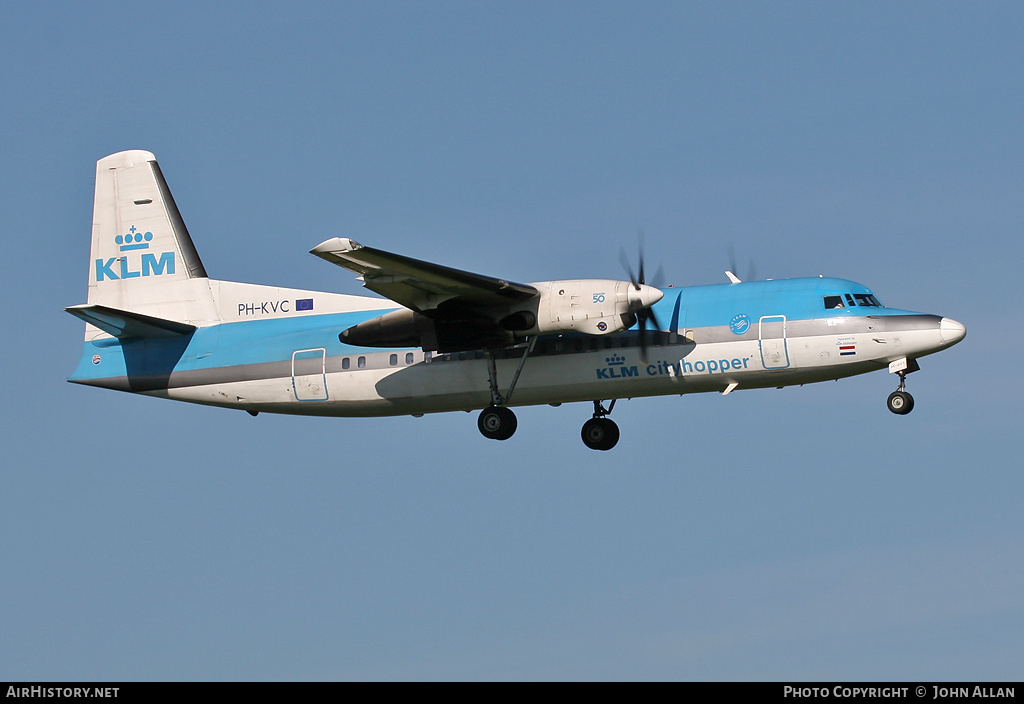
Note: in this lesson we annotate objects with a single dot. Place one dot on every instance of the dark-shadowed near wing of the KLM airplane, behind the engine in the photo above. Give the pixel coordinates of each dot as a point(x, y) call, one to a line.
point(421, 286)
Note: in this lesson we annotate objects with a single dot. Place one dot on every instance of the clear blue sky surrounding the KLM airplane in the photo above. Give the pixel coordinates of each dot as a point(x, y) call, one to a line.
point(797, 535)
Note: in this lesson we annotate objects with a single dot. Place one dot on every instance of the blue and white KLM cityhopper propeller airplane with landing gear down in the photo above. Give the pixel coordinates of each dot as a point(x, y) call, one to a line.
point(446, 340)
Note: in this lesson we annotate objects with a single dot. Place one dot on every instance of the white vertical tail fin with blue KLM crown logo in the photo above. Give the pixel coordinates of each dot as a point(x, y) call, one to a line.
point(144, 259)
